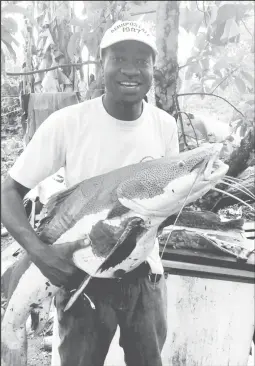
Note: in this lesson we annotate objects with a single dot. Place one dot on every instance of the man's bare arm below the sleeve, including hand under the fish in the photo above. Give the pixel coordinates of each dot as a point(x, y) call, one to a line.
point(53, 261)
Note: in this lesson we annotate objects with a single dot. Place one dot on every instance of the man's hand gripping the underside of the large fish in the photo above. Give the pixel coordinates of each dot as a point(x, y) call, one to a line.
point(55, 263)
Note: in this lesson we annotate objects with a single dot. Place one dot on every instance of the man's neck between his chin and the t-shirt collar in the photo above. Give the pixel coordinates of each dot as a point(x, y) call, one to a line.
point(121, 110)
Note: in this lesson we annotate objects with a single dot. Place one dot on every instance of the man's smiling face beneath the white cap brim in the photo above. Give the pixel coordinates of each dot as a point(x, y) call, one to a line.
point(128, 71)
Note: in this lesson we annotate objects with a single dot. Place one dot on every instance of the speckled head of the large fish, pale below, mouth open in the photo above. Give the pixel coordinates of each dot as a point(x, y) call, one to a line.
point(163, 186)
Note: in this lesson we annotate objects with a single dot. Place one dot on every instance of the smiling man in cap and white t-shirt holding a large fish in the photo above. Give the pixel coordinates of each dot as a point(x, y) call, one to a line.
point(88, 139)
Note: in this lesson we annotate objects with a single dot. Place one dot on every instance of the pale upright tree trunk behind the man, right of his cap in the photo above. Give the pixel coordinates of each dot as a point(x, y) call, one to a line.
point(166, 71)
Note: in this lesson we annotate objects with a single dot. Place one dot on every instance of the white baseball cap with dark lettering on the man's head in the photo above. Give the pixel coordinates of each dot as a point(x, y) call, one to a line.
point(128, 31)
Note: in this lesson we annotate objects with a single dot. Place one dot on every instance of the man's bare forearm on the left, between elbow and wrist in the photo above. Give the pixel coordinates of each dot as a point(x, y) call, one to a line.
point(16, 222)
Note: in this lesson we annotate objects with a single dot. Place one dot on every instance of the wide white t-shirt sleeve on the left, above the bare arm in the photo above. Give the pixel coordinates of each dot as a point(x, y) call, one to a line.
point(44, 155)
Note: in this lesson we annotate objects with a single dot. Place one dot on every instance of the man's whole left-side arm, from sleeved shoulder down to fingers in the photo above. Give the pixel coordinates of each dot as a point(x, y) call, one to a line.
point(44, 155)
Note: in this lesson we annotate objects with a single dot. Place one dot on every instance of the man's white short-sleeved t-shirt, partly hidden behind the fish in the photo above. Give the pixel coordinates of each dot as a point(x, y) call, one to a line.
point(86, 141)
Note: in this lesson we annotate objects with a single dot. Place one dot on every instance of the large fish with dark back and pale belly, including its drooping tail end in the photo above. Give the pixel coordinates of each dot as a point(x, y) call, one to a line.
point(119, 214)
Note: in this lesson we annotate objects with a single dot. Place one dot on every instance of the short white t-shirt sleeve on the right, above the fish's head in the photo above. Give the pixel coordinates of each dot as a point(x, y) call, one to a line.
point(171, 136)
